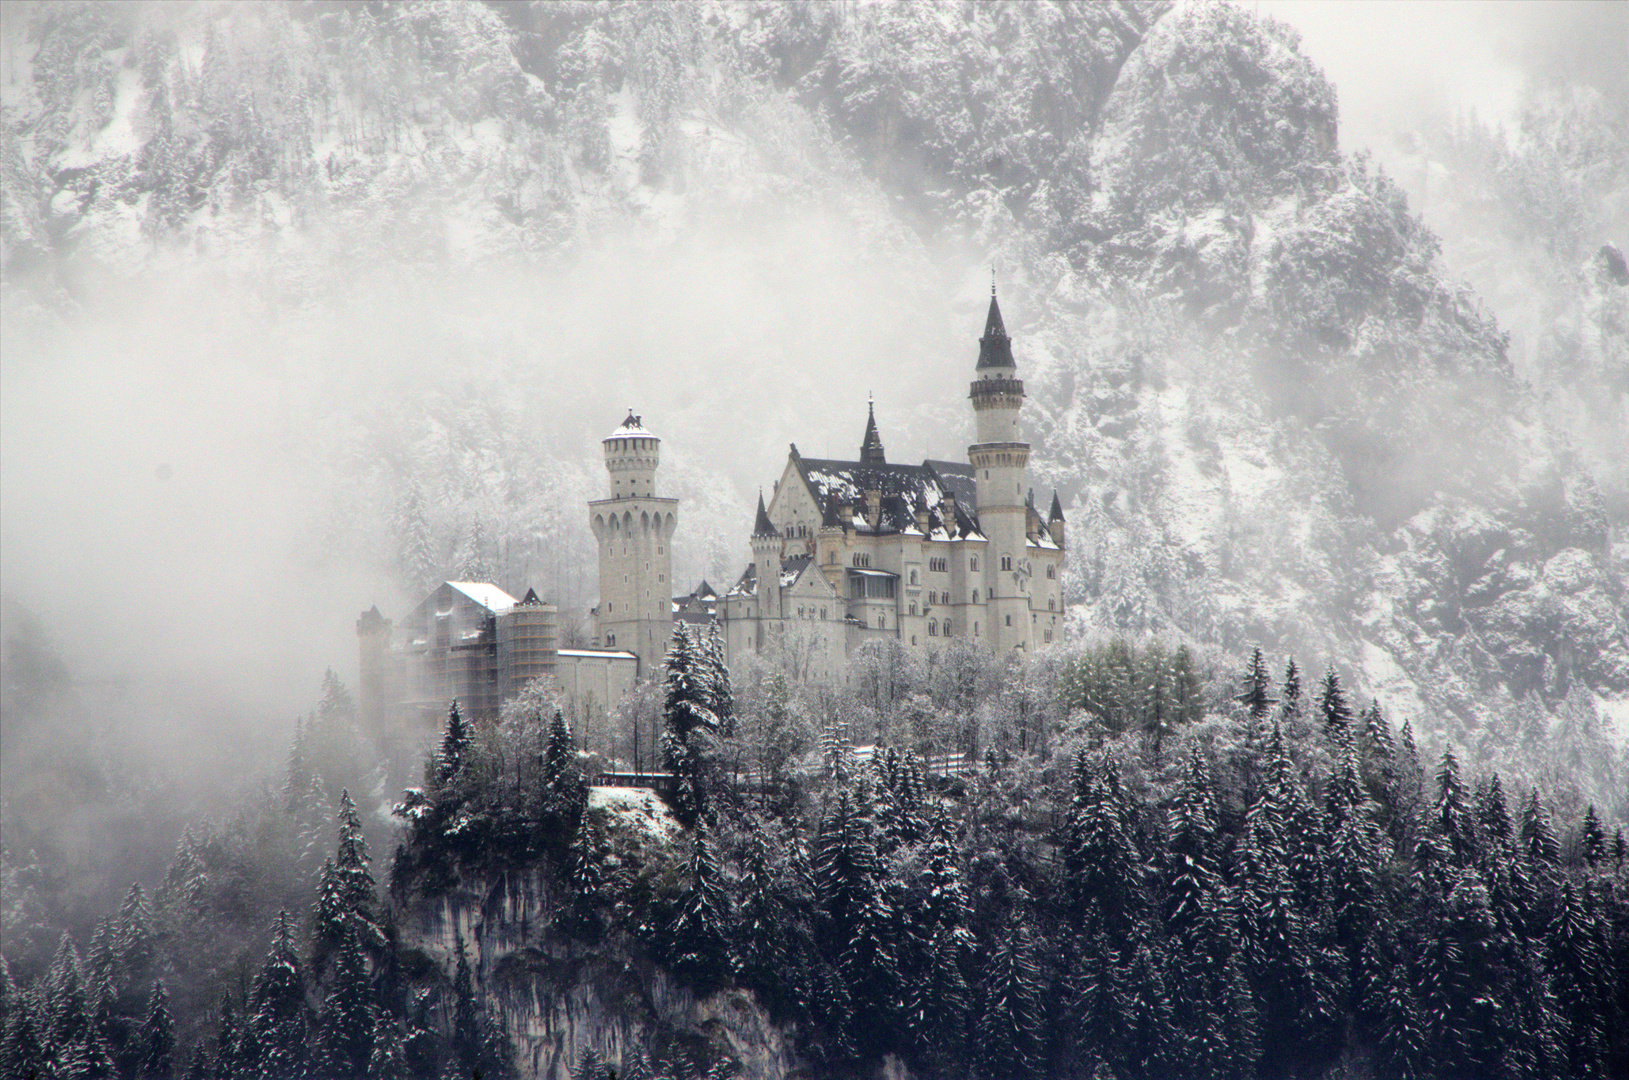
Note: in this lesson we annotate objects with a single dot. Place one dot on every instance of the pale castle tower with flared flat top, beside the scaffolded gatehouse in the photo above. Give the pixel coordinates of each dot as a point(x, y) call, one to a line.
point(634, 532)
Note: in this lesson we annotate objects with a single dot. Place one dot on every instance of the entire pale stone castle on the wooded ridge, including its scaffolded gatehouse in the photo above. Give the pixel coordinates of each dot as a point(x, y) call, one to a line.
point(845, 553)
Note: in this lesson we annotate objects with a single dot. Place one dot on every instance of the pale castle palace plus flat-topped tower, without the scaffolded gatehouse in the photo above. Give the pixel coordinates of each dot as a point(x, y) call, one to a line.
point(853, 551)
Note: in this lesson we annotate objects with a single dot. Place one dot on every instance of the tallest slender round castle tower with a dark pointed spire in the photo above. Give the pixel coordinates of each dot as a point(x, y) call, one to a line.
point(1001, 467)
